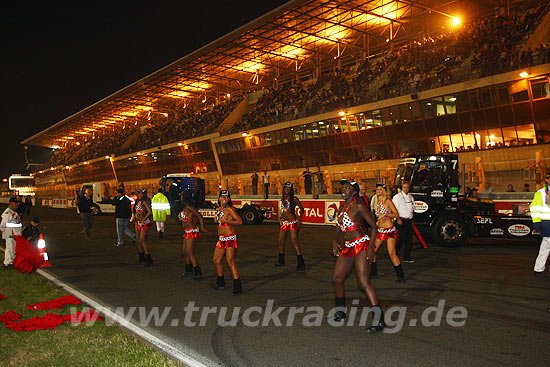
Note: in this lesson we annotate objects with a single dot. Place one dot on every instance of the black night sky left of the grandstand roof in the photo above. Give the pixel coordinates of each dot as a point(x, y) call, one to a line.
point(60, 57)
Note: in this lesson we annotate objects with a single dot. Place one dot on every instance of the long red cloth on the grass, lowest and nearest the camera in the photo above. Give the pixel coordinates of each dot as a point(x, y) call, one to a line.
point(51, 321)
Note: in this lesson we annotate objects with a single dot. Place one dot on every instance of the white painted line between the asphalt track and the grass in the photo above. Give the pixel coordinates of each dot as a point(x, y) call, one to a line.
point(191, 359)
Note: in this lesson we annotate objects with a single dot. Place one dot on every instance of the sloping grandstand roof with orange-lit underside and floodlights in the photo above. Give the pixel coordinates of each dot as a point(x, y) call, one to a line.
point(292, 39)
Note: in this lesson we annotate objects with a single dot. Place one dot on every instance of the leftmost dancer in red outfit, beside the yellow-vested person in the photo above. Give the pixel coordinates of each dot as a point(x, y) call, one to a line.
point(143, 215)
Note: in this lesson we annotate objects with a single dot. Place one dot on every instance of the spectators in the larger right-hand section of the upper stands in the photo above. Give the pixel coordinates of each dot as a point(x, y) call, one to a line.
point(483, 47)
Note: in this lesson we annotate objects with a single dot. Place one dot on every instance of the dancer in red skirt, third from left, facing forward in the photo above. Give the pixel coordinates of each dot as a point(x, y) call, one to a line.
point(226, 218)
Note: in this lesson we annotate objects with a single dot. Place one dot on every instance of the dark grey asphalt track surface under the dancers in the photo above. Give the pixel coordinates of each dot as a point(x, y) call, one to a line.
point(507, 323)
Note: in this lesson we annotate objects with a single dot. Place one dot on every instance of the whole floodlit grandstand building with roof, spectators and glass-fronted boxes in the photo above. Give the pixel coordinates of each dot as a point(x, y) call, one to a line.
point(348, 85)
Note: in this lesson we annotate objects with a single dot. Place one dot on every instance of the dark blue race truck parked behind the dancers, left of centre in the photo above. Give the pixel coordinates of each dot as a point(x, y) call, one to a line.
point(174, 185)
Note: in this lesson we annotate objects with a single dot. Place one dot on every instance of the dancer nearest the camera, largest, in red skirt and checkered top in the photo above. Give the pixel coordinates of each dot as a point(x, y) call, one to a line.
point(358, 250)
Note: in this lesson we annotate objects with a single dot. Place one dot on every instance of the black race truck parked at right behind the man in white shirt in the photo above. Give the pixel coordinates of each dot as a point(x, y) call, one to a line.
point(452, 218)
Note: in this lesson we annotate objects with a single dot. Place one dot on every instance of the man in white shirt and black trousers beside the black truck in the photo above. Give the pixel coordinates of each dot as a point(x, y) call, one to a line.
point(404, 202)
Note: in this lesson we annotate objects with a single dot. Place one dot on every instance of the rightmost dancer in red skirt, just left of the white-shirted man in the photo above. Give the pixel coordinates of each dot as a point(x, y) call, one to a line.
point(386, 213)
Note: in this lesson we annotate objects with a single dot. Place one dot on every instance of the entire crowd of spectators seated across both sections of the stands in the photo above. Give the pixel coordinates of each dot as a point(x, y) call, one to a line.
point(483, 47)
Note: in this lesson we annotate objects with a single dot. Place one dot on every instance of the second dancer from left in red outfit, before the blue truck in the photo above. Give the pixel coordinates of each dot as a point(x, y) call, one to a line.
point(189, 217)
